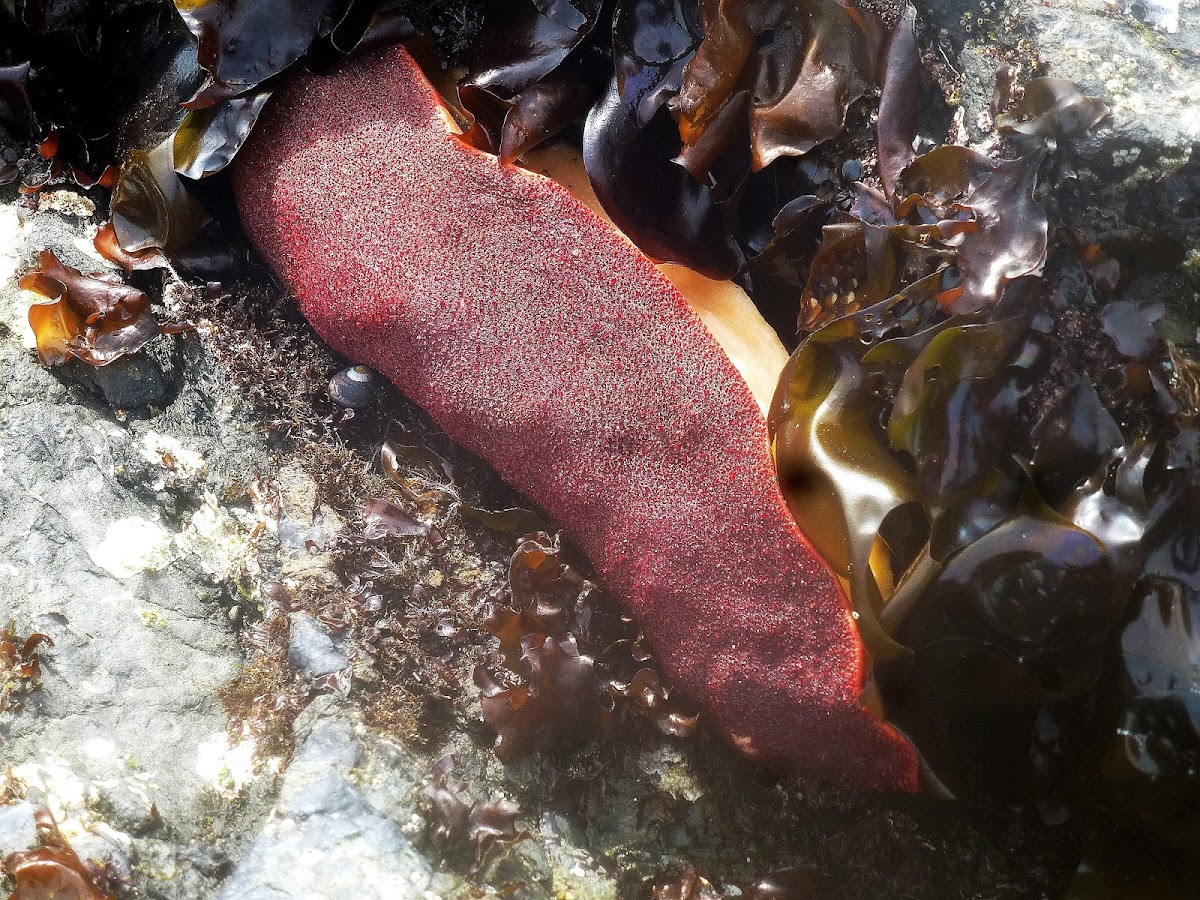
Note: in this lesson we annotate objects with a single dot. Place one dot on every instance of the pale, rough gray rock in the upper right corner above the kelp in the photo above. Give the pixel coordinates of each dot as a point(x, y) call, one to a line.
point(1139, 169)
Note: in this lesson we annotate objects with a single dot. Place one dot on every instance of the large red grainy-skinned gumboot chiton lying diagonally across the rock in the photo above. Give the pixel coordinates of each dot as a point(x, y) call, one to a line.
point(541, 339)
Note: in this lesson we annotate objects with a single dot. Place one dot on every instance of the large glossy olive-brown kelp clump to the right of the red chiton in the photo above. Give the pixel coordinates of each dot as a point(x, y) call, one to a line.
point(1009, 479)
